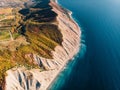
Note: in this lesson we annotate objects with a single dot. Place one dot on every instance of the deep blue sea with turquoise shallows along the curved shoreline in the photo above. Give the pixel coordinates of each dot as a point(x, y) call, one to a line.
point(97, 65)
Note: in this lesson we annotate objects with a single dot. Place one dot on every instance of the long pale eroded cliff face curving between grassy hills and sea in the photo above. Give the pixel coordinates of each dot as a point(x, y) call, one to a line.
point(23, 79)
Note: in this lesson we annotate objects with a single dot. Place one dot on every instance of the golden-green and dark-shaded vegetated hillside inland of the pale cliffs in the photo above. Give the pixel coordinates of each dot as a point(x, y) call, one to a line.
point(33, 32)
